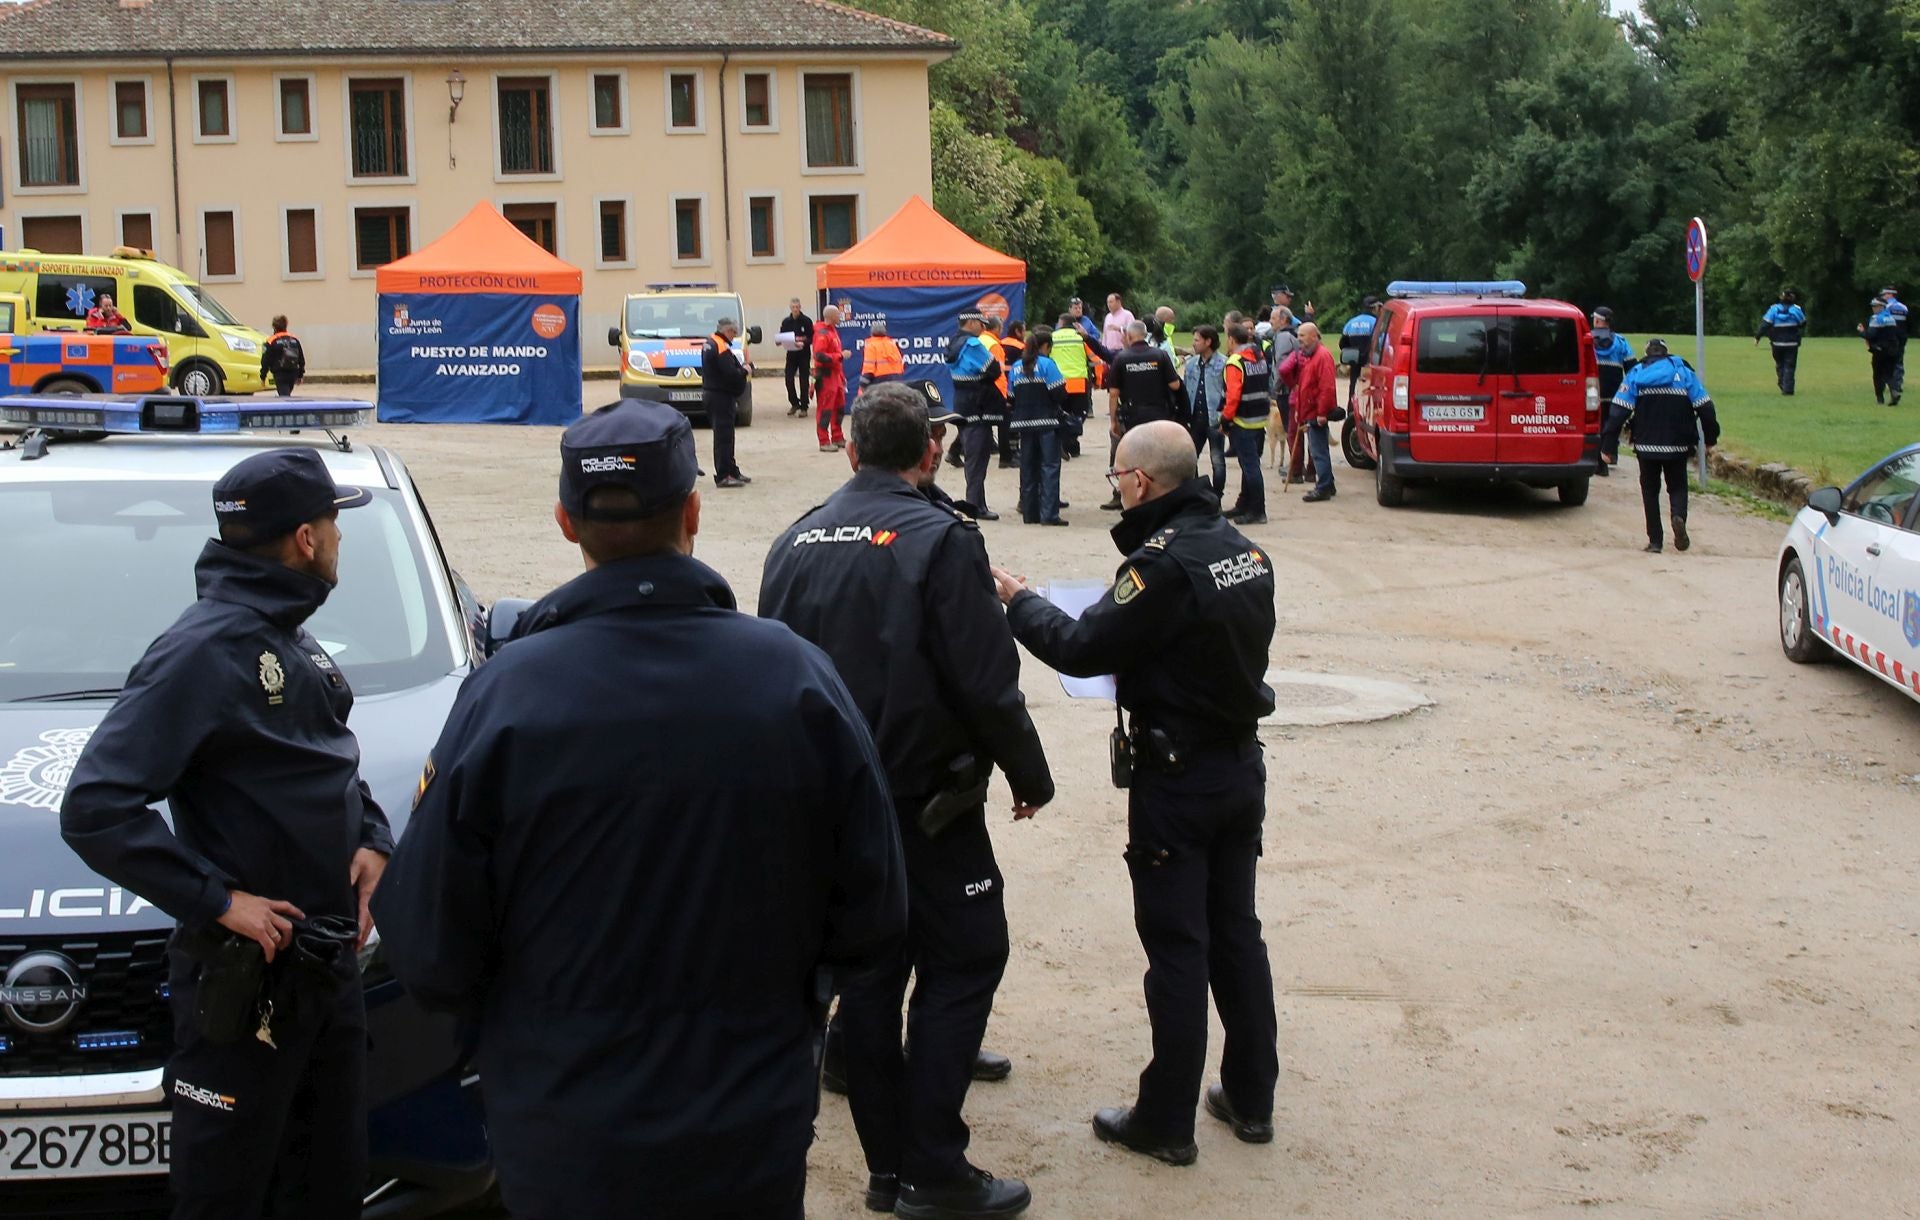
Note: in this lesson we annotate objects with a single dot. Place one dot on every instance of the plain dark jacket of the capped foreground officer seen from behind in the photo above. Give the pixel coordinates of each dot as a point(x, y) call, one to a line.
point(646, 827)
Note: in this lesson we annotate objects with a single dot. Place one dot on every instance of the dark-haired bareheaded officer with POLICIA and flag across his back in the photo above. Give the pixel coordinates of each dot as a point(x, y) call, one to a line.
point(898, 593)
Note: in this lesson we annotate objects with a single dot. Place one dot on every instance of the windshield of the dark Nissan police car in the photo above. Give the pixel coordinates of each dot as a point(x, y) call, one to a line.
point(99, 570)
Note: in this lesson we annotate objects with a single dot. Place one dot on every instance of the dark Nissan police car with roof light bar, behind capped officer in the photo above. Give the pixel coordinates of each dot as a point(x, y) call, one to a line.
point(101, 545)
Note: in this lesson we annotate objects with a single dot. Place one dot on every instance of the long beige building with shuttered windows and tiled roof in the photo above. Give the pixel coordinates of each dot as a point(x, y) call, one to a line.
point(281, 153)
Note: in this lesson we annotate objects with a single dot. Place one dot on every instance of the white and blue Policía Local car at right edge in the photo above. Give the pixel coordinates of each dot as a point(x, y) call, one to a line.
point(1850, 573)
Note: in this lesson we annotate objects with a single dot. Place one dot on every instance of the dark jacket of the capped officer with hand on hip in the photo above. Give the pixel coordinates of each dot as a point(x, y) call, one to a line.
point(239, 720)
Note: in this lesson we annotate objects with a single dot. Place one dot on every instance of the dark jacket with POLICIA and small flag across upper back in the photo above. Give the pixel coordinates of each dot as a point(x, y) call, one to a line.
point(898, 591)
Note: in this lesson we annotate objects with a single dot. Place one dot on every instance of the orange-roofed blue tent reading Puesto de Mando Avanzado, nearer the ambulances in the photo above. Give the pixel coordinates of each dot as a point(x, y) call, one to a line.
point(481, 328)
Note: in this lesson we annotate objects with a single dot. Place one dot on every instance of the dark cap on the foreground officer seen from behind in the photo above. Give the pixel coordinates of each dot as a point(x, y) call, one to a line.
point(635, 445)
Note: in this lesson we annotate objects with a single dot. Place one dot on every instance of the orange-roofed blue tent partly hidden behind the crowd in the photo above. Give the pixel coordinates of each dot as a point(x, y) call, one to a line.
point(919, 272)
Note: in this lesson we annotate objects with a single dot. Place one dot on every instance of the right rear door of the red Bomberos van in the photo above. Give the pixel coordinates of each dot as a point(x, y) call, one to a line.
point(1541, 399)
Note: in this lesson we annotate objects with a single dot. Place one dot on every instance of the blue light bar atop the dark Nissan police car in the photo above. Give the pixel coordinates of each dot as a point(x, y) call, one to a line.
point(158, 414)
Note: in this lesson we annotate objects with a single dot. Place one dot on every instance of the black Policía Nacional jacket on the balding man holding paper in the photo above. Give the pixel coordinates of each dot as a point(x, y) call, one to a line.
point(1186, 629)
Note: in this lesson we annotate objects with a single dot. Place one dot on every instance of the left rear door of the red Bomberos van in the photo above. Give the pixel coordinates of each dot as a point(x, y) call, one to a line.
point(1454, 385)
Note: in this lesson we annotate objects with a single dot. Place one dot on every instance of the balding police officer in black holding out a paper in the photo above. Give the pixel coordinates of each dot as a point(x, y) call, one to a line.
point(1197, 794)
